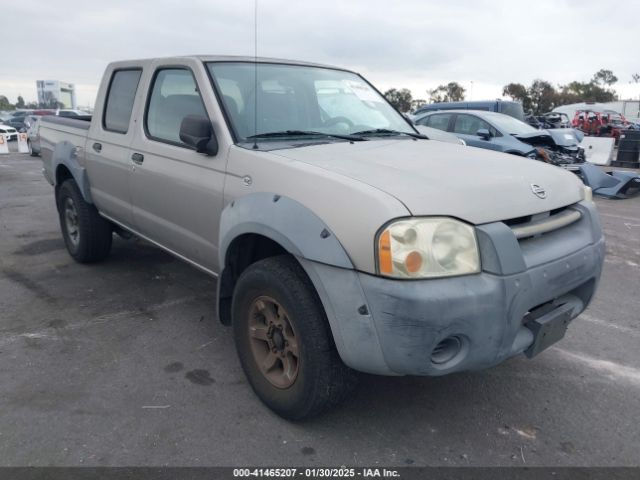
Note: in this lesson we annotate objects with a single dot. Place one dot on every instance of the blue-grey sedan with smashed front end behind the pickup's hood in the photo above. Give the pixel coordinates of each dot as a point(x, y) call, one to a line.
point(495, 131)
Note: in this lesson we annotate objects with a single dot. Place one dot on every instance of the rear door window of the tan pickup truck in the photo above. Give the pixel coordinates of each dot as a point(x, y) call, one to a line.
point(120, 98)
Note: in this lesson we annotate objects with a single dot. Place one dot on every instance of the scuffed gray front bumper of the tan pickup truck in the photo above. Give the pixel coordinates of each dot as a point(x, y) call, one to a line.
point(405, 319)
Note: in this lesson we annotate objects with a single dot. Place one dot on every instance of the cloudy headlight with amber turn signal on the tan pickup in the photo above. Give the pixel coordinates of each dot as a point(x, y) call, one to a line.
point(427, 248)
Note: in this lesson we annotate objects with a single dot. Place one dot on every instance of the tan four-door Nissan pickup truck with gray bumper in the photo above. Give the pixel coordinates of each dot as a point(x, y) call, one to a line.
point(342, 239)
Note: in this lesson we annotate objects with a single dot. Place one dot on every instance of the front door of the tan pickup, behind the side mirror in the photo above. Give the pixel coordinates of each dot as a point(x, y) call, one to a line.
point(177, 193)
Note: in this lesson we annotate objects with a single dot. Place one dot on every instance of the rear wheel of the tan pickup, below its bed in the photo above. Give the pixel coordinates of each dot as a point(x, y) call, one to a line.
point(86, 234)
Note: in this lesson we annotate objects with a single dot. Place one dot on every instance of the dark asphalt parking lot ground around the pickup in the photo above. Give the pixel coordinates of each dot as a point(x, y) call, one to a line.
point(125, 363)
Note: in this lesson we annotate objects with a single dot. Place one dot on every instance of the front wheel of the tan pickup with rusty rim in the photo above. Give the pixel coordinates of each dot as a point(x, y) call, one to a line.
point(316, 379)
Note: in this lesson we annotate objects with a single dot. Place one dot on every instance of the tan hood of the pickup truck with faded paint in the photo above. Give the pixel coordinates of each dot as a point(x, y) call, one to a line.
point(436, 178)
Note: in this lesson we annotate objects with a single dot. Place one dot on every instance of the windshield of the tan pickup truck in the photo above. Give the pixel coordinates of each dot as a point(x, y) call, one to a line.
point(294, 98)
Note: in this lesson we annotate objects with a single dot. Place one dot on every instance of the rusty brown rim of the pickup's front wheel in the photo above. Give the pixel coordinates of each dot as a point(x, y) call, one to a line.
point(273, 342)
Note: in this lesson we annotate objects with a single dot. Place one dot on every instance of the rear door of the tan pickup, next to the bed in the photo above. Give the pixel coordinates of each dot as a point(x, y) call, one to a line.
point(107, 146)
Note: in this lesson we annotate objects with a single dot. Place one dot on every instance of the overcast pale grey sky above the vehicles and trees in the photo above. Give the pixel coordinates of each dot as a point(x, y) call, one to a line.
point(415, 44)
